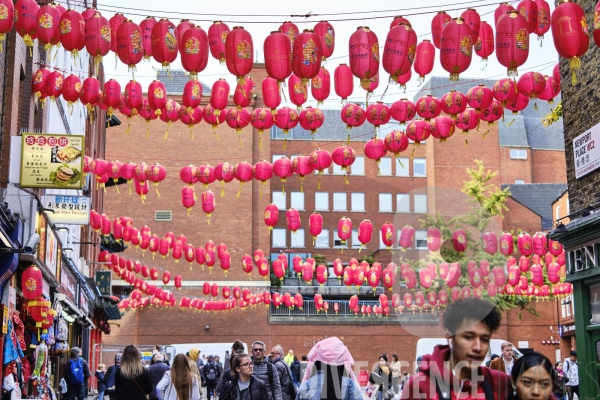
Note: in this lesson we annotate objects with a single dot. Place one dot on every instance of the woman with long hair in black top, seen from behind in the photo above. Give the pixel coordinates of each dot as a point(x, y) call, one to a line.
point(132, 379)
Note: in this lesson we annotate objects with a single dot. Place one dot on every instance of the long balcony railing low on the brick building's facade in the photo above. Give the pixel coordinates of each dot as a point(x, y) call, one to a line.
point(309, 310)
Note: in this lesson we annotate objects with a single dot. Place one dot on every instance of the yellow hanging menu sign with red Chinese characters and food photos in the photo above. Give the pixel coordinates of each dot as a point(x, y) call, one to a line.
point(52, 161)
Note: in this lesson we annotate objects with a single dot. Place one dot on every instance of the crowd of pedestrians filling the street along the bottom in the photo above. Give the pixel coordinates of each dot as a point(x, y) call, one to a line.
point(452, 371)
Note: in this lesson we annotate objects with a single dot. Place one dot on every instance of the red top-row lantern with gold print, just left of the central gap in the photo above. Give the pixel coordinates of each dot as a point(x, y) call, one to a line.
point(239, 51)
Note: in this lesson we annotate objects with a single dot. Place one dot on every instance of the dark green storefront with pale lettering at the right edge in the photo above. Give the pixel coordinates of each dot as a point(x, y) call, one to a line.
point(581, 240)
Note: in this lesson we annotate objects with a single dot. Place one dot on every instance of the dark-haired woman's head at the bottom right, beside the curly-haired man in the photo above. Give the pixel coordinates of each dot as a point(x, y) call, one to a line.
point(532, 378)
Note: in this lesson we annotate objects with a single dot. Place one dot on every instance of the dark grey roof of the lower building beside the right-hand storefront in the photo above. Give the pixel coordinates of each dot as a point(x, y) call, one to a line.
point(538, 197)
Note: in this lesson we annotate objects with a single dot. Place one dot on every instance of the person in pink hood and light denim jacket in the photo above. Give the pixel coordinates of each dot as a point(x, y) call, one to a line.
point(329, 373)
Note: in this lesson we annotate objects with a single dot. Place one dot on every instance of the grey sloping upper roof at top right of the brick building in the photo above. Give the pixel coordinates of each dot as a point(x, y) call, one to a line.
point(525, 131)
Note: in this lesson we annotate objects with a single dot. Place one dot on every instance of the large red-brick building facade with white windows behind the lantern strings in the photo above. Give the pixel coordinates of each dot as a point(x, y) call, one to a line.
point(238, 222)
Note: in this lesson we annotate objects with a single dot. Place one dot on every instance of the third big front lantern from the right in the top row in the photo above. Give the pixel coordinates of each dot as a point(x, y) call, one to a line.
point(456, 48)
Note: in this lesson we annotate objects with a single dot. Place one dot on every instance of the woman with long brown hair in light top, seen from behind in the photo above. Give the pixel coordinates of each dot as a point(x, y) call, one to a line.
point(180, 383)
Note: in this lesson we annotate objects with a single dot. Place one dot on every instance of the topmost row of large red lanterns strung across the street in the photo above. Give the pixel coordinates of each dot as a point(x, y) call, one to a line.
point(289, 52)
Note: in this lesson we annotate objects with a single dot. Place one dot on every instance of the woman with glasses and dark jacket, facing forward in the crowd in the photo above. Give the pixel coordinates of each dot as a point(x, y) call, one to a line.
point(243, 386)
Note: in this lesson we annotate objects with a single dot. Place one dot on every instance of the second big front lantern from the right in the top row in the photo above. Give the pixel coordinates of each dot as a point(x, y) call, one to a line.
point(512, 41)
